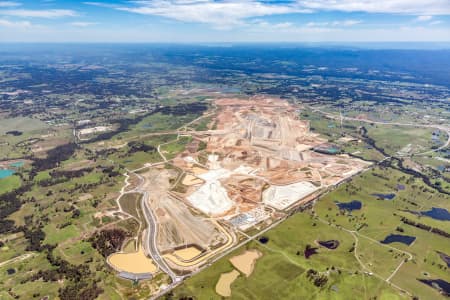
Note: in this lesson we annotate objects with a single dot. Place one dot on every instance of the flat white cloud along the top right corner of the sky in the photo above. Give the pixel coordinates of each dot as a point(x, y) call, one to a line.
point(413, 7)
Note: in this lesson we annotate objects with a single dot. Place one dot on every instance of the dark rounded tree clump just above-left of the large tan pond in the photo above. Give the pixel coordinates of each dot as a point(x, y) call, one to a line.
point(108, 241)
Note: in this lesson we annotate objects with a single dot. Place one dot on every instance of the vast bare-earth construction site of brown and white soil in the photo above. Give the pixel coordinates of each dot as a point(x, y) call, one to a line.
point(259, 163)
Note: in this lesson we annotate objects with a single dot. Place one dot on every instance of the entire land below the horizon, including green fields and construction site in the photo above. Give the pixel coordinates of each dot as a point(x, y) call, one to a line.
point(150, 172)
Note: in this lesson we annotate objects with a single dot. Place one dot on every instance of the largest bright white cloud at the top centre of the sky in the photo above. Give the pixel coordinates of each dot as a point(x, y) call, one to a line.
point(221, 14)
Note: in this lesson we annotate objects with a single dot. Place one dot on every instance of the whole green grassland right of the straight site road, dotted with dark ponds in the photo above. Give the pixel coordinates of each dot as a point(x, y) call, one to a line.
point(280, 273)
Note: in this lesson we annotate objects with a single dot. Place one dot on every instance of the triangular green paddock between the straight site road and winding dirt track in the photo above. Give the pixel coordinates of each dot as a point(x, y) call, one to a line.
point(281, 272)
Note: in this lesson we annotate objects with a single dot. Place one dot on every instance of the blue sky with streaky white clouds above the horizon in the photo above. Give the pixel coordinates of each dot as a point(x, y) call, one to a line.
point(188, 21)
